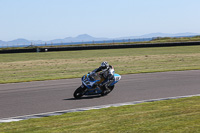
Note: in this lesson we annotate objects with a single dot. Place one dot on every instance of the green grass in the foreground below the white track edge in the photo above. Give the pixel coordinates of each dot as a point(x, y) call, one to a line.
point(173, 116)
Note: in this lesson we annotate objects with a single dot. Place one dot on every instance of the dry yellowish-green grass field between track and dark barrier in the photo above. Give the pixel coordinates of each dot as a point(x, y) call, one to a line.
point(23, 67)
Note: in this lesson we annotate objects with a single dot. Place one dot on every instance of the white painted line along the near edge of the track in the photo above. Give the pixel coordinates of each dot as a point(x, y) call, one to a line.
point(26, 117)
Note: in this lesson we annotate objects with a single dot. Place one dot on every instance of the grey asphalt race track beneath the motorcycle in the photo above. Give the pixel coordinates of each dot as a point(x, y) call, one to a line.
point(18, 99)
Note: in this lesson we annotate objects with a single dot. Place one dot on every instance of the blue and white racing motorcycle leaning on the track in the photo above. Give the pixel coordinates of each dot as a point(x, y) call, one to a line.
point(91, 82)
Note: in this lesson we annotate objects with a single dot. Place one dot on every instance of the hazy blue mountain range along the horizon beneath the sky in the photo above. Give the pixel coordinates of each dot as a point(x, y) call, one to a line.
point(87, 38)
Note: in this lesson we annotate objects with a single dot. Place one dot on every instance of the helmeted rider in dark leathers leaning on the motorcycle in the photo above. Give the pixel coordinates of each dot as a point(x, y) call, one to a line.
point(107, 74)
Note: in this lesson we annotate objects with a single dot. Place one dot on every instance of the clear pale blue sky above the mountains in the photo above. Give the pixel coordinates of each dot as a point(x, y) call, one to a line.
point(52, 19)
